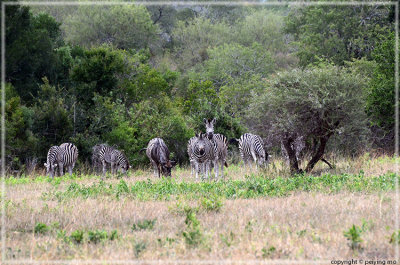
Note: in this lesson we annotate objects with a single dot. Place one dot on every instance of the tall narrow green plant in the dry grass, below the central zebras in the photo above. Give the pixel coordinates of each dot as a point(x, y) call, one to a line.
point(192, 234)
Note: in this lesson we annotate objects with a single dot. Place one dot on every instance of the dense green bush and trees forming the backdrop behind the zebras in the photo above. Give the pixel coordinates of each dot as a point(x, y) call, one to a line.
point(125, 74)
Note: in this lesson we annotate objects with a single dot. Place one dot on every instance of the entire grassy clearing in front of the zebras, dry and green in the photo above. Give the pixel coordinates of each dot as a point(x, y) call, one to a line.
point(249, 215)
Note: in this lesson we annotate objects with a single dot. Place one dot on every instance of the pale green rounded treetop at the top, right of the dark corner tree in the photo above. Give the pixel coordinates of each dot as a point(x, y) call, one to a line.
point(124, 26)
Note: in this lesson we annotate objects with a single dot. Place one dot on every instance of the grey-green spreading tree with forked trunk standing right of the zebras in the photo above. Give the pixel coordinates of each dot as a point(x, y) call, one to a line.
point(314, 103)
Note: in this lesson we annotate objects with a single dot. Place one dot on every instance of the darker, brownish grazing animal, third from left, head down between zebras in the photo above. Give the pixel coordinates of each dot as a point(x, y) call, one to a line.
point(158, 153)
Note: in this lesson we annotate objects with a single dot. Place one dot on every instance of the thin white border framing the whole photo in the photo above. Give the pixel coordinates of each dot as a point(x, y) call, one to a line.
point(186, 3)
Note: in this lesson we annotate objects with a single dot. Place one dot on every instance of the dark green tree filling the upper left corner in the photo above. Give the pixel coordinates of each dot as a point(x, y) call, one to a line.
point(30, 50)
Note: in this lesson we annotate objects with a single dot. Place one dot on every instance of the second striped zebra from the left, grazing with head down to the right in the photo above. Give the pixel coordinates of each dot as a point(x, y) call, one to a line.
point(110, 155)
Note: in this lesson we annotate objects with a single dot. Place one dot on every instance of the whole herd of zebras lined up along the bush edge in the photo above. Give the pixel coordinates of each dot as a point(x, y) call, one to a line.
point(205, 150)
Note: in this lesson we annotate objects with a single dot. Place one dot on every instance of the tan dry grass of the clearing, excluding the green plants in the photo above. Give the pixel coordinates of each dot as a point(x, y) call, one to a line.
point(304, 225)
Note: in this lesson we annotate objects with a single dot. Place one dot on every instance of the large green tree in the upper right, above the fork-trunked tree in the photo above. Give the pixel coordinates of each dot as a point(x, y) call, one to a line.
point(321, 32)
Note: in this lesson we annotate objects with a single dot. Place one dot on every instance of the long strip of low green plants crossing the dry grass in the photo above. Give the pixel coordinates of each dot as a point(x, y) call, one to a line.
point(252, 187)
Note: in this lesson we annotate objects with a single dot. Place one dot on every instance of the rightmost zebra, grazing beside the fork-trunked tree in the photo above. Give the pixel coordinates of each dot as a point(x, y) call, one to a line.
point(251, 146)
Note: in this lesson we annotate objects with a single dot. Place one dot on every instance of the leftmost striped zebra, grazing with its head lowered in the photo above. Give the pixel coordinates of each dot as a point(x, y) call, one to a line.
point(59, 156)
